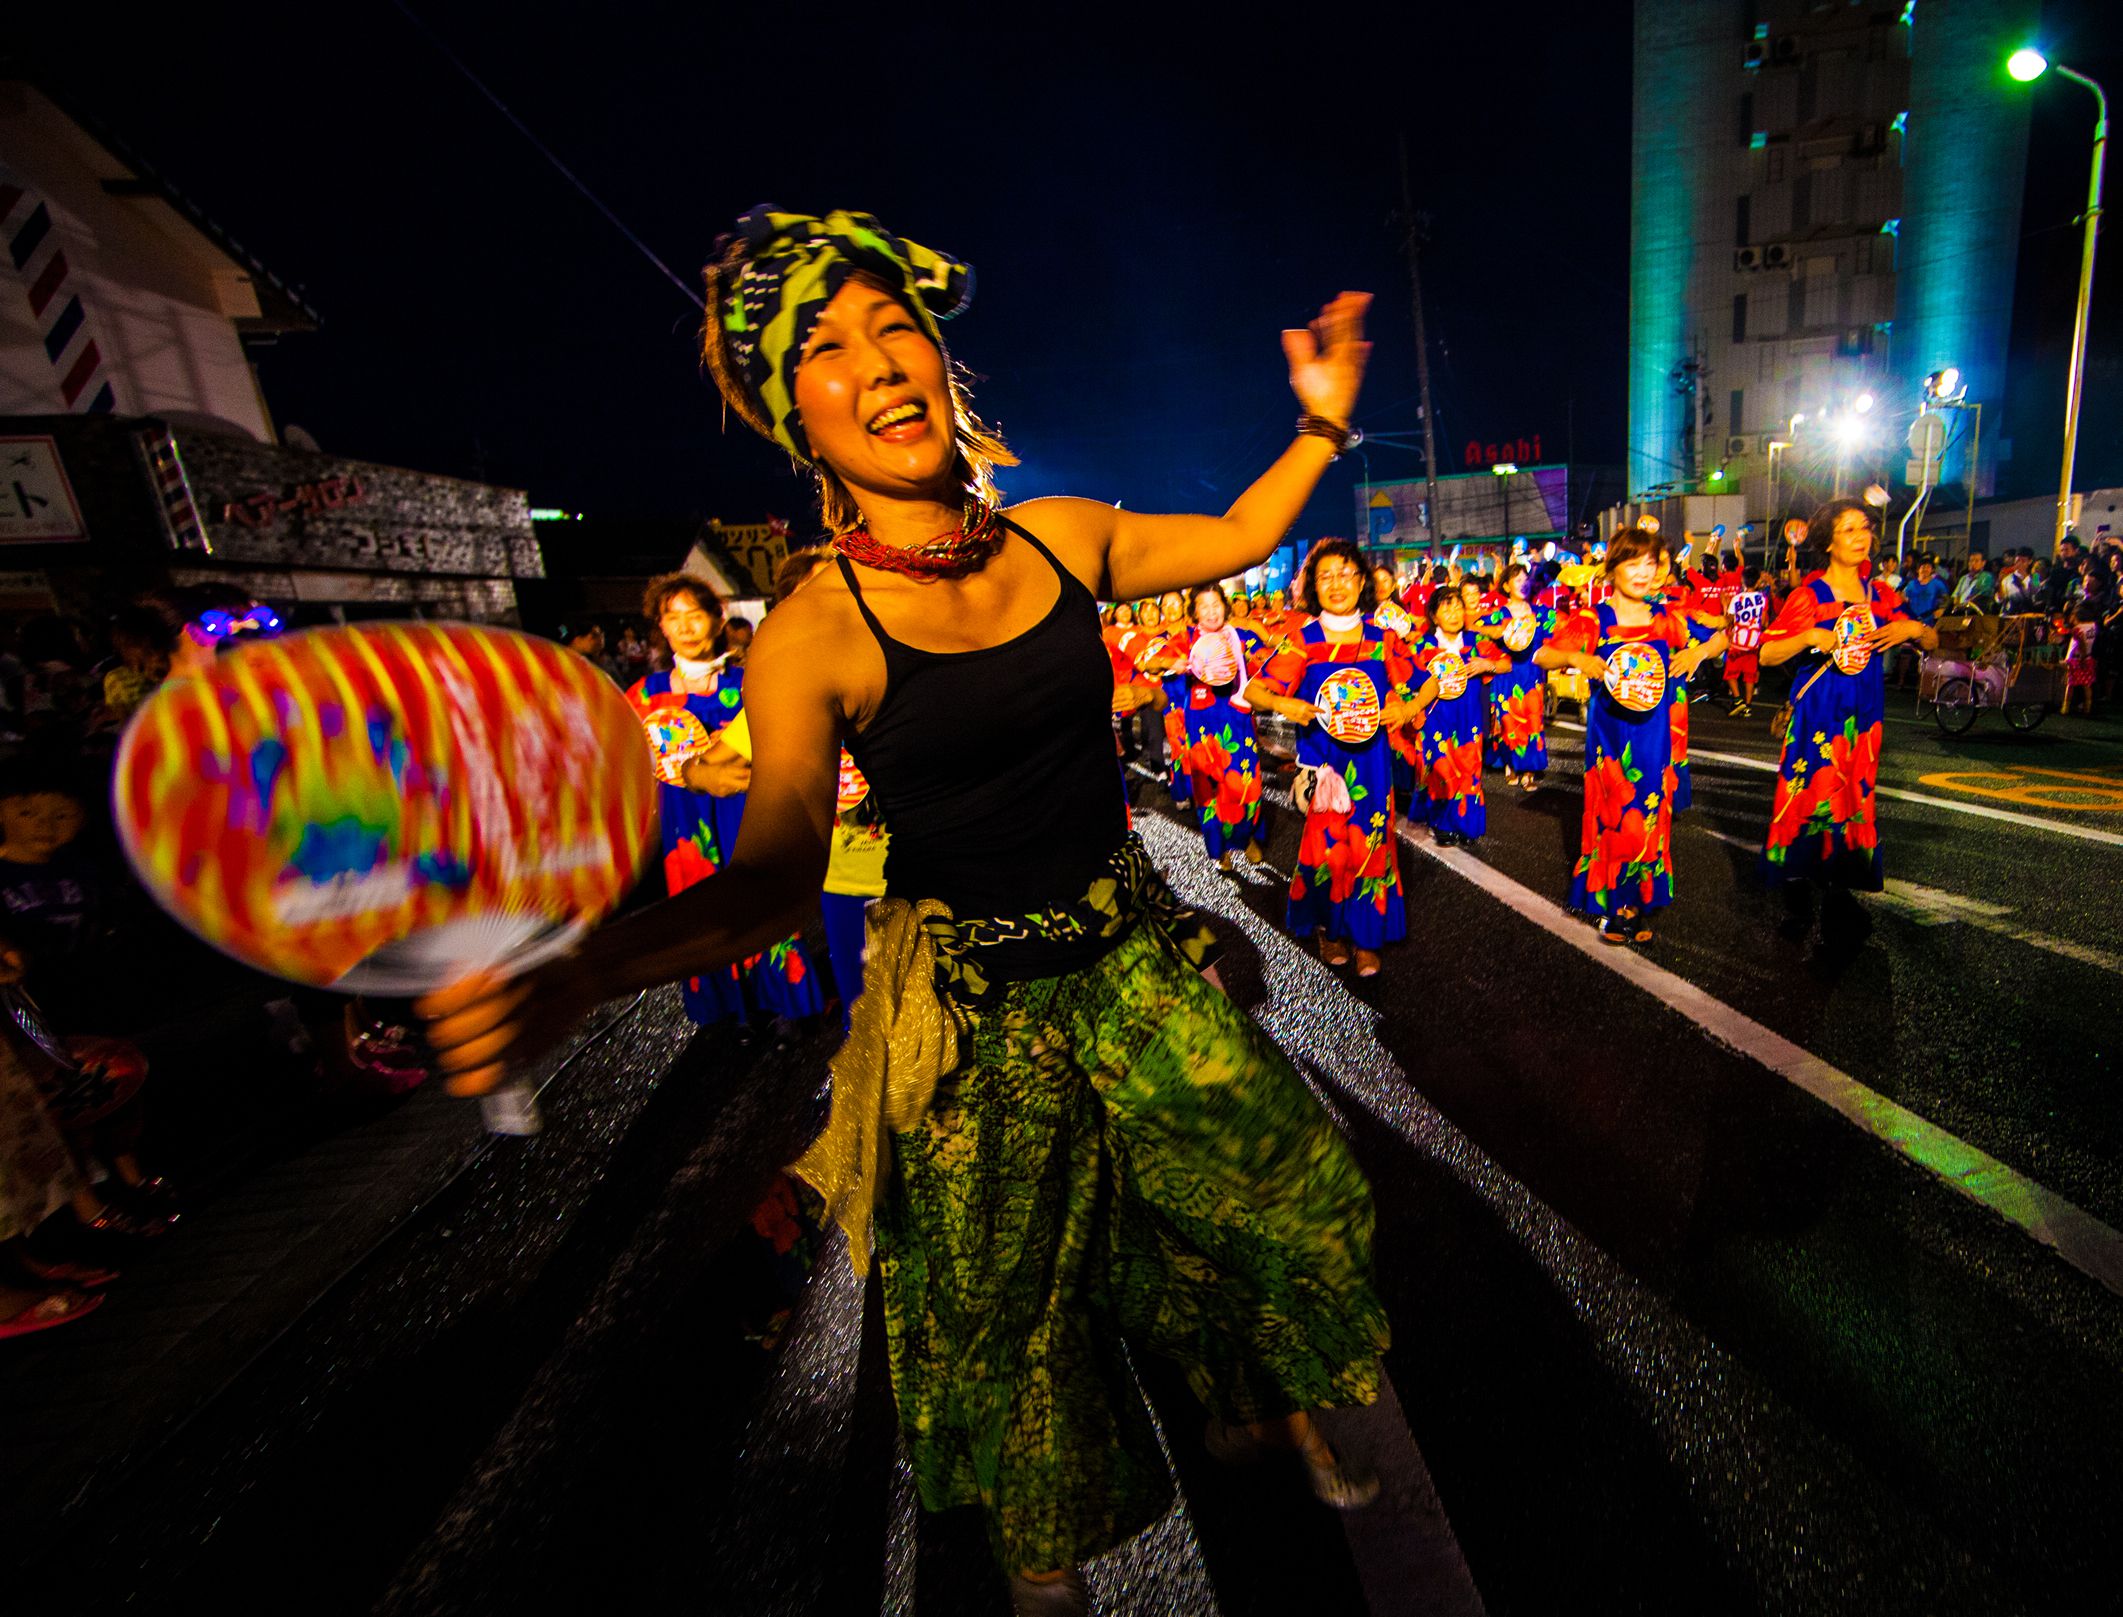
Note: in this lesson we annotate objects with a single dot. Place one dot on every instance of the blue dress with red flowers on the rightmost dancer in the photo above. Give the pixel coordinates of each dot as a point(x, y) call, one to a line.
point(1823, 820)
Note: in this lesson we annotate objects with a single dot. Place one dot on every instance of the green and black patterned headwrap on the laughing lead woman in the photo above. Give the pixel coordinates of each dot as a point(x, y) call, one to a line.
point(795, 268)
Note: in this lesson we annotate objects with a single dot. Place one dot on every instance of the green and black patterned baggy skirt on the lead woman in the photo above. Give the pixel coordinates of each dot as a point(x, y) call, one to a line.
point(1122, 1155)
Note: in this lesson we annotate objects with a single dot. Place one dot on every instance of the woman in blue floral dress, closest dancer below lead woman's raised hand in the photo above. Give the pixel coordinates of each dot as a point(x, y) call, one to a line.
point(1345, 684)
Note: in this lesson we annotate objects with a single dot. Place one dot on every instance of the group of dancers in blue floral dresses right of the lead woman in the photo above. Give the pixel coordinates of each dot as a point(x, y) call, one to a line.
point(1406, 693)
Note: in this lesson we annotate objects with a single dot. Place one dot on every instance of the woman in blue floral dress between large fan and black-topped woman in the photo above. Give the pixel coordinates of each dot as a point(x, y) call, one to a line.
point(702, 801)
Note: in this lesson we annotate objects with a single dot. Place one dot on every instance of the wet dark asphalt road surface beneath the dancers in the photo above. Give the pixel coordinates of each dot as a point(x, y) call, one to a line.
point(1670, 1336)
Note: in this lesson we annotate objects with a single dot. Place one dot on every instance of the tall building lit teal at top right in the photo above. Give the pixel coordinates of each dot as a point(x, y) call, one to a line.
point(1825, 211)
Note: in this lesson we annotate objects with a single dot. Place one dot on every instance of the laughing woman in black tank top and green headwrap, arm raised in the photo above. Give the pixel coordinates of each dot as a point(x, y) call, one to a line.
point(1092, 1145)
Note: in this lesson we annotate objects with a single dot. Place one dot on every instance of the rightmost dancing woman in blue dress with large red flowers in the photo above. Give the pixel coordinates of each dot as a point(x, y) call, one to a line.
point(1837, 625)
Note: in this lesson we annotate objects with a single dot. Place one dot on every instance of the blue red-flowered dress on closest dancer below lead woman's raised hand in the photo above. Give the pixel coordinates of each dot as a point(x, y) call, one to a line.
point(1349, 875)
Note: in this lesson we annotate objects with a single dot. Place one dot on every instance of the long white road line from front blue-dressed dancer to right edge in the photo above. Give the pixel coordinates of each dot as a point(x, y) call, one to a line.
point(2077, 1236)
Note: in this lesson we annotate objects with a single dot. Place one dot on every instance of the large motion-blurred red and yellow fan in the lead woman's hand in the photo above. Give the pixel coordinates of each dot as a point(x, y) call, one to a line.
point(387, 807)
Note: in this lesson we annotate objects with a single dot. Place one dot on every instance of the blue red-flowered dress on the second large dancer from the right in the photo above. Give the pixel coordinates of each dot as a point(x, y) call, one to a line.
point(1625, 856)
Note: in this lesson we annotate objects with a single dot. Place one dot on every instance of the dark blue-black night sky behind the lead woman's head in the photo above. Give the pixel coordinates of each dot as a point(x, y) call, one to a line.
point(1145, 207)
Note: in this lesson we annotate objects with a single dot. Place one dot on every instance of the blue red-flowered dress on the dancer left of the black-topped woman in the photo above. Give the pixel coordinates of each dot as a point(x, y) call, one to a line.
point(700, 833)
